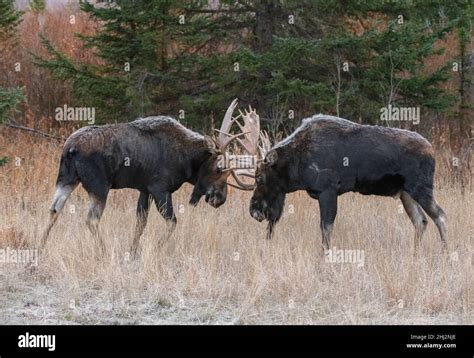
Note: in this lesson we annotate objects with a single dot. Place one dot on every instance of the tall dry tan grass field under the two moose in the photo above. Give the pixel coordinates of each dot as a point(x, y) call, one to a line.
point(217, 267)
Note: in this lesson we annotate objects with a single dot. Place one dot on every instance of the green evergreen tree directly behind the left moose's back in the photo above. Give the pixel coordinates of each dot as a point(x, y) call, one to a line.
point(147, 50)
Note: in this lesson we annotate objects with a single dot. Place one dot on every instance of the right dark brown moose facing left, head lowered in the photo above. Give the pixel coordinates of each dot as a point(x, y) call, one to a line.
point(328, 156)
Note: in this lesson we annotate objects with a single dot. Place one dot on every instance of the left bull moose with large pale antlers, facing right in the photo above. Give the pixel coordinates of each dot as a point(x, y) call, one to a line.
point(154, 155)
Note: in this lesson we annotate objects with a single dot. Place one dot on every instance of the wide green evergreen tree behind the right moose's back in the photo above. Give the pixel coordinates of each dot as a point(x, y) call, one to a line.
point(345, 58)
